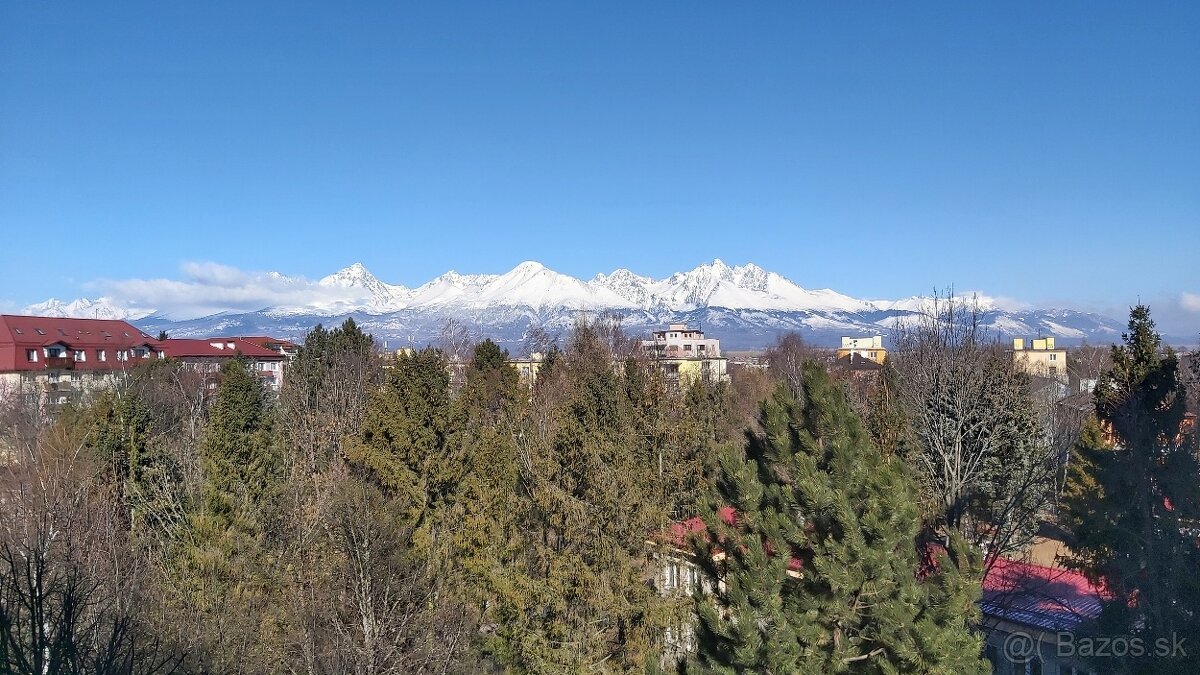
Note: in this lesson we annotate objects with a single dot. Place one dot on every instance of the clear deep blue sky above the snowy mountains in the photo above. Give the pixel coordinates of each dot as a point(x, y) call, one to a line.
point(1048, 153)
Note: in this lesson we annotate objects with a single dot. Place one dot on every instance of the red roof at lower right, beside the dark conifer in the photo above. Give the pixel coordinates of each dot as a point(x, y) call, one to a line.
point(1042, 598)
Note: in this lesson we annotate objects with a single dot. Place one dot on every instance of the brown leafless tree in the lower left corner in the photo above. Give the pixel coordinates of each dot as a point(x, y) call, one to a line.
point(70, 587)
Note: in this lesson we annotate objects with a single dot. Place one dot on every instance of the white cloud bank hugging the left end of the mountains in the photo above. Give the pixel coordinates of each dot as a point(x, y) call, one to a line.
point(208, 289)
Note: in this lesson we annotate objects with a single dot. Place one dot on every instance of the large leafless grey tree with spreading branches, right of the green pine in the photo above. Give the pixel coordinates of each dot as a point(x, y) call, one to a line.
point(987, 469)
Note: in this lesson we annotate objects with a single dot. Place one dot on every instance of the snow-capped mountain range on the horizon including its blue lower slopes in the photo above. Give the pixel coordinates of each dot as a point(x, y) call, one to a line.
point(745, 306)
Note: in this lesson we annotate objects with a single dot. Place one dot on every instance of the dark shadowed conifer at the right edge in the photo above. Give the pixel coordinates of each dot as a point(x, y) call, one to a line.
point(1133, 501)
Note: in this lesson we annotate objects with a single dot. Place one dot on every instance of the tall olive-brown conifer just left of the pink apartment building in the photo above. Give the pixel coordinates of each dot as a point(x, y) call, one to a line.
point(575, 599)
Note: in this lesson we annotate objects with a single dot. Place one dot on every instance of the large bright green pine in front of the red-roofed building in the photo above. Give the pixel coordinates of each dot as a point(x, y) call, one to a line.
point(818, 569)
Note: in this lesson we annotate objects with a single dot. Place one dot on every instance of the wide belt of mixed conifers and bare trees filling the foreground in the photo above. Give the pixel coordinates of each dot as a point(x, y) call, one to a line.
point(430, 512)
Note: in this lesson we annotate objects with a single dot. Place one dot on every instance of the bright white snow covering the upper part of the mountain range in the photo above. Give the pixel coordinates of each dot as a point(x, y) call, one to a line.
point(713, 286)
